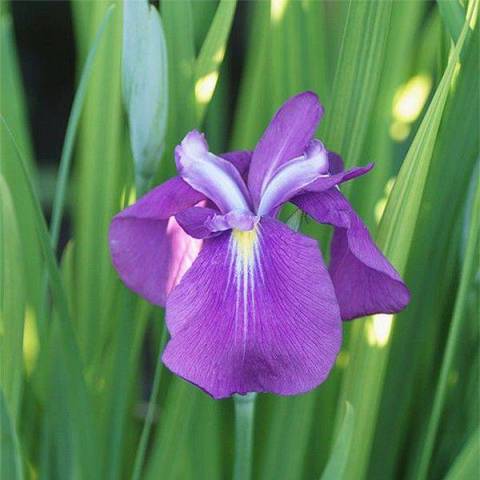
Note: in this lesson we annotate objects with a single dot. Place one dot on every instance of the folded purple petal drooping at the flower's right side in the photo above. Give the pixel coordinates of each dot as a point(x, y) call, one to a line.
point(365, 282)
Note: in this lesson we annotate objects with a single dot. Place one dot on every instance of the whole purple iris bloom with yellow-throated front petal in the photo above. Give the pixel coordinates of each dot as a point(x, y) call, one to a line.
point(250, 304)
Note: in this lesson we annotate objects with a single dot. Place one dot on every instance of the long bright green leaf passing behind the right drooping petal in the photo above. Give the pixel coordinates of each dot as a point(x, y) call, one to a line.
point(395, 238)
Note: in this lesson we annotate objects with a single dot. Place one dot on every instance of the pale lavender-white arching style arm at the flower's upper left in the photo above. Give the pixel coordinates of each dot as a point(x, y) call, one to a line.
point(218, 179)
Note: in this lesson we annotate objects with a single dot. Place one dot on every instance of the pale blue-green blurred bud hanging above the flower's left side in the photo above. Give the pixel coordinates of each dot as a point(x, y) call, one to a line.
point(145, 87)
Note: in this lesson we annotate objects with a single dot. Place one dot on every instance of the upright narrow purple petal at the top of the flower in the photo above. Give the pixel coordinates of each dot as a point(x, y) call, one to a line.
point(287, 136)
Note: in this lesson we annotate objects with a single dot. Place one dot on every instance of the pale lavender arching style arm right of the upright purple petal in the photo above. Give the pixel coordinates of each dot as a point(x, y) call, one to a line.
point(293, 177)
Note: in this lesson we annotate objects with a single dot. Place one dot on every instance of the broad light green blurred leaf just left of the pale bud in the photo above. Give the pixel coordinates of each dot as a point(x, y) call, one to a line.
point(101, 172)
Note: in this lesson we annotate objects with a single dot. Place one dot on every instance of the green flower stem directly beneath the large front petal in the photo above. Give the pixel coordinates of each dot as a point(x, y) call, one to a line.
point(244, 415)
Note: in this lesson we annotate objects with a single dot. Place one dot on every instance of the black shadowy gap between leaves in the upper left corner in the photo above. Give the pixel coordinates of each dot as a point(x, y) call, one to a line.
point(46, 50)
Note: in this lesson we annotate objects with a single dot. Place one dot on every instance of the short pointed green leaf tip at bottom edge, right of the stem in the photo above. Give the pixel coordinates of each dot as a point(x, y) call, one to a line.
point(338, 457)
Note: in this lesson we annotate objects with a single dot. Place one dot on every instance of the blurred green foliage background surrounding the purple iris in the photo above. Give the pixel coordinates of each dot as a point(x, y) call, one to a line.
point(399, 82)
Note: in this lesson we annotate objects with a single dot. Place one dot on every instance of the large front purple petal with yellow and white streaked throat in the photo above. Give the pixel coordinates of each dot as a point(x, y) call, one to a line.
point(256, 312)
